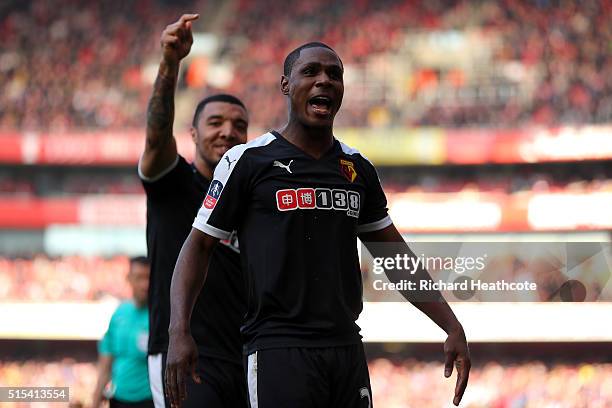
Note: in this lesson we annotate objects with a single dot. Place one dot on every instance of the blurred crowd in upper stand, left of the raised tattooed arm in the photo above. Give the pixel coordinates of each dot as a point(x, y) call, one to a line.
point(77, 63)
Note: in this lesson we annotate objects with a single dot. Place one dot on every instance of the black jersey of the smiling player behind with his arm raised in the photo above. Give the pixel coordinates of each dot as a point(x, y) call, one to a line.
point(173, 199)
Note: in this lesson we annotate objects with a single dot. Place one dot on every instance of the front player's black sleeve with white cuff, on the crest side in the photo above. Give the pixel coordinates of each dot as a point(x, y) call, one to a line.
point(374, 215)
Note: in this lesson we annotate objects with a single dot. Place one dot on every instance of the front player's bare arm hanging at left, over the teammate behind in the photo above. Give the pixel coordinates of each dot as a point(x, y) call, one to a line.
point(187, 281)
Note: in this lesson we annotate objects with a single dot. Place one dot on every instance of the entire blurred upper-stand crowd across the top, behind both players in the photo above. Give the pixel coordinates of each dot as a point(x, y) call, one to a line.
point(78, 64)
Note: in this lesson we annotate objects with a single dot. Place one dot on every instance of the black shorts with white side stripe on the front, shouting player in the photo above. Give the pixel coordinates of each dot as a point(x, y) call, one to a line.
point(329, 377)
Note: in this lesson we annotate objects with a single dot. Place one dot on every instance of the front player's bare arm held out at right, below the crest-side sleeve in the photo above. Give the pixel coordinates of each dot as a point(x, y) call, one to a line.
point(431, 303)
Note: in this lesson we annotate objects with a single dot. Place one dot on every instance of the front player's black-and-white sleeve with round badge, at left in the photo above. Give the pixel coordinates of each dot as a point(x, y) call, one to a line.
point(227, 196)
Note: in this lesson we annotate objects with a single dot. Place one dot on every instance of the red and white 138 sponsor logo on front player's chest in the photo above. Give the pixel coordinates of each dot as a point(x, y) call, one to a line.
point(319, 198)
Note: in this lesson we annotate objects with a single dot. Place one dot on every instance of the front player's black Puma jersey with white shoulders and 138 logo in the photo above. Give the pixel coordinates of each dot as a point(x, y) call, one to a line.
point(297, 219)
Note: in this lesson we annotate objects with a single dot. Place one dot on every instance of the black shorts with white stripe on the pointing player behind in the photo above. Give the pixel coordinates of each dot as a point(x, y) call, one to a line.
point(223, 384)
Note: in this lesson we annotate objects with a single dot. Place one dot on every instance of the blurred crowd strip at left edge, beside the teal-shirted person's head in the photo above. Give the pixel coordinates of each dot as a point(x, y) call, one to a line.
point(70, 278)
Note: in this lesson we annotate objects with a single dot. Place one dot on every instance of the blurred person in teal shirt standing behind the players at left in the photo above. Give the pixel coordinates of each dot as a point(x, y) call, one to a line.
point(123, 350)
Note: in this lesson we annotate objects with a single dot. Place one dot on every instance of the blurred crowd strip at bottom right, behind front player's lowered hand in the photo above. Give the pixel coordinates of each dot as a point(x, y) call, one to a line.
point(422, 384)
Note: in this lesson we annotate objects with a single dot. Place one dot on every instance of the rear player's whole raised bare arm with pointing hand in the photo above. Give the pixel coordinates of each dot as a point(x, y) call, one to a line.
point(160, 147)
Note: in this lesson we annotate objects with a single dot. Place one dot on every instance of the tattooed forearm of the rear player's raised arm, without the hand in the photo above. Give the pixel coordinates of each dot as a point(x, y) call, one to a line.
point(160, 111)
